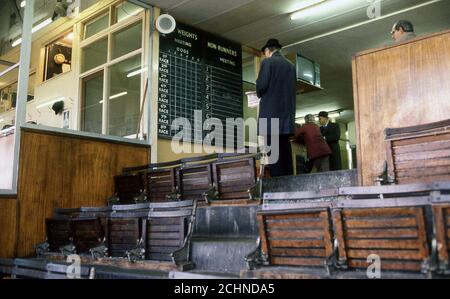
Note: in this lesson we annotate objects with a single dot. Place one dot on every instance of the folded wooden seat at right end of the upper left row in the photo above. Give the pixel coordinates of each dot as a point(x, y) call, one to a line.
point(235, 177)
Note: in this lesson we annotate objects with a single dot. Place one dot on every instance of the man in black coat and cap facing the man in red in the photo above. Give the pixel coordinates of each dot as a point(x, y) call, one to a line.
point(332, 133)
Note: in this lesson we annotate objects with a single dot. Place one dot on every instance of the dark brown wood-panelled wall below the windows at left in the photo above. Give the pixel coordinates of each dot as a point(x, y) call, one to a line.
point(60, 171)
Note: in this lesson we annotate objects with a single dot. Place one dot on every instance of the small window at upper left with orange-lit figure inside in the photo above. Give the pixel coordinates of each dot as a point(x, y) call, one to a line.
point(58, 57)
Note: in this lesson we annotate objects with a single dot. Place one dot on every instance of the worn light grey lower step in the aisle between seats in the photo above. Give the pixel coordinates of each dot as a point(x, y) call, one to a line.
point(221, 254)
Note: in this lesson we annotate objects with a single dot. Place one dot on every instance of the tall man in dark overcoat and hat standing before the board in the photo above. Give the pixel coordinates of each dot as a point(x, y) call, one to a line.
point(276, 86)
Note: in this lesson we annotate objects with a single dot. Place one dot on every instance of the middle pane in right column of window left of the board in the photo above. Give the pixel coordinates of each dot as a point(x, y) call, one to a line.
point(127, 40)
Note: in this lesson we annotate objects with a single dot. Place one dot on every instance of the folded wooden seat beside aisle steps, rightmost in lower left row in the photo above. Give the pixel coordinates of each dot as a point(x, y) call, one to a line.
point(168, 231)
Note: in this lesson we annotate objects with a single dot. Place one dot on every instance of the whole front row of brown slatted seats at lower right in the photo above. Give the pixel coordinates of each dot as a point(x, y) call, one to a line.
point(393, 222)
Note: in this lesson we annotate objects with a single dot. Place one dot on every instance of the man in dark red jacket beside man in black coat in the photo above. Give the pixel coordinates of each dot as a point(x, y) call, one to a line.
point(317, 149)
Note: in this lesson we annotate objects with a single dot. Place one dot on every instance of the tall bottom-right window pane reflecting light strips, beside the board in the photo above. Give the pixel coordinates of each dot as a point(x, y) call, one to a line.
point(124, 97)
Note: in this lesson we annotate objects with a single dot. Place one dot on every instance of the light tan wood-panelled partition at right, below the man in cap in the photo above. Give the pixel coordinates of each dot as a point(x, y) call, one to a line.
point(401, 85)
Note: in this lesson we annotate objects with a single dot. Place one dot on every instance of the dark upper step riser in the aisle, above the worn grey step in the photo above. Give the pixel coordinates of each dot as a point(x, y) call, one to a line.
point(226, 221)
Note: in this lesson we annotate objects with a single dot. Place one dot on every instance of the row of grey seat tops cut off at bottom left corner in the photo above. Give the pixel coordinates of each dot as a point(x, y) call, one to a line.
point(42, 269)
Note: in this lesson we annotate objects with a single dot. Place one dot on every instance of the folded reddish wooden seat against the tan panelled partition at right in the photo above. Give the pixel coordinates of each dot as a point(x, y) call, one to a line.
point(419, 153)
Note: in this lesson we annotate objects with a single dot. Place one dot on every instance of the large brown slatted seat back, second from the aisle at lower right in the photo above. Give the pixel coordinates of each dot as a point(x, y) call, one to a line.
point(394, 232)
